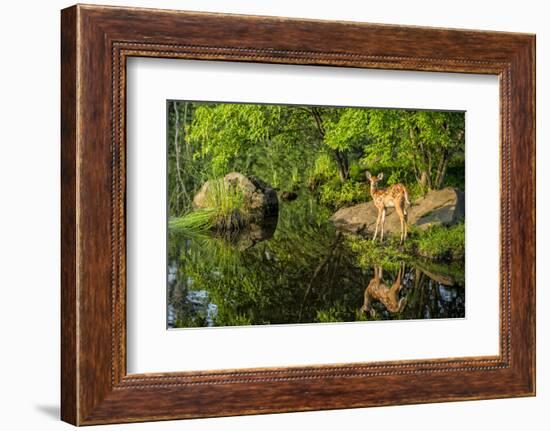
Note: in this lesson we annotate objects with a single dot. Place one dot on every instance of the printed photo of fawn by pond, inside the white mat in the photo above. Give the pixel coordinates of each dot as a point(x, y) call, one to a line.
point(288, 214)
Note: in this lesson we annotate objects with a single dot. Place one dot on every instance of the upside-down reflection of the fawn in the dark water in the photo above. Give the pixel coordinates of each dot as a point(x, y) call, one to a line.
point(388, 296)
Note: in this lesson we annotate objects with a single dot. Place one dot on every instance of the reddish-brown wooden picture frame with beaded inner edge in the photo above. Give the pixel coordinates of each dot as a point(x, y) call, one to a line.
point(96, 41)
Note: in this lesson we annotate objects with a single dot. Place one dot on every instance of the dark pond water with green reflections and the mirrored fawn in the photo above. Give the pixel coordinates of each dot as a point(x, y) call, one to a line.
point(300, 270)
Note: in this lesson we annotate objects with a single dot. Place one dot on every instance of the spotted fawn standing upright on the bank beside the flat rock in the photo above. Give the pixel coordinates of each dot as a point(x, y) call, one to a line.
point(394, 196)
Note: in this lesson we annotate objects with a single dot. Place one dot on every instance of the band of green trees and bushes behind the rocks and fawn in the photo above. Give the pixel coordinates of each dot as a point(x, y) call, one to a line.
point(293, 146)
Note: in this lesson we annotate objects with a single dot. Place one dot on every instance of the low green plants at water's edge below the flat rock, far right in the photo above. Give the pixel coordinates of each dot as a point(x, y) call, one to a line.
point(443, 243)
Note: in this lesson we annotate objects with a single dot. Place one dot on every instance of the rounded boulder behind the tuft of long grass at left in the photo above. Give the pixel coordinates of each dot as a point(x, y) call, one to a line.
point(261, 200)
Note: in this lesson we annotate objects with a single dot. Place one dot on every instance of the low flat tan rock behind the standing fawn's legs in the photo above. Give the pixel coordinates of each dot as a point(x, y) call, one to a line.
point(438, 207)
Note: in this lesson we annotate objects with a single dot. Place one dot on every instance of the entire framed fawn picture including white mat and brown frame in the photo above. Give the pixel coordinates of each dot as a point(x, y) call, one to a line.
point(264, 214)
